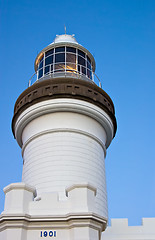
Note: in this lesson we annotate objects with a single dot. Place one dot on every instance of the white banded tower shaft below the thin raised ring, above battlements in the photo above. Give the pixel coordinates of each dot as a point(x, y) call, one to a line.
point(54, 161)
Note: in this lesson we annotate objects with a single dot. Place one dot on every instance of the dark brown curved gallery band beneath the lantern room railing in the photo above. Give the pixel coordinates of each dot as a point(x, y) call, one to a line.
point(64, 88)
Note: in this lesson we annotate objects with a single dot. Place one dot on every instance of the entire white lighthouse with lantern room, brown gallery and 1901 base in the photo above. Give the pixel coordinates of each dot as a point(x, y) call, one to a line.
point(64, 123)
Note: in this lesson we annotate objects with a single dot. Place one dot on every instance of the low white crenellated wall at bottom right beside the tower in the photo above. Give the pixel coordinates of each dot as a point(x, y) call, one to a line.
point(119, 230)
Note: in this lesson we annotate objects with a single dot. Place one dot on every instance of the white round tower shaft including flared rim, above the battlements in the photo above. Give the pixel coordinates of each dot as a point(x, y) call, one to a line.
point(63, 143)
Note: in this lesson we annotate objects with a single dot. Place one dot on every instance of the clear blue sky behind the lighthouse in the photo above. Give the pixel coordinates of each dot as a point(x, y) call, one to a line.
point(121, 35)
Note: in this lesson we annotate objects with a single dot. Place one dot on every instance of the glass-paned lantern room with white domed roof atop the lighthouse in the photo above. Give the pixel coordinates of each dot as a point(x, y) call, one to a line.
point(65, 58)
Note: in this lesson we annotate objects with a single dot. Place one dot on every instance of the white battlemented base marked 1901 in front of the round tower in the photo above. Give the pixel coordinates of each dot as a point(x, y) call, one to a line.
point(28, 218)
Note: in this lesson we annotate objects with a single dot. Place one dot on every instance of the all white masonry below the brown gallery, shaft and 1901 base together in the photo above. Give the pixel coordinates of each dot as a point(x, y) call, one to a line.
point(64, 145)
